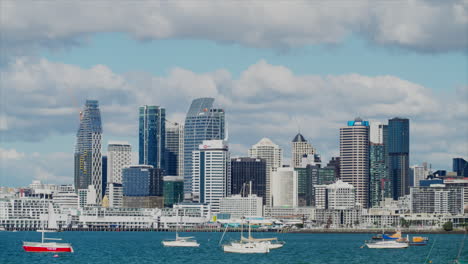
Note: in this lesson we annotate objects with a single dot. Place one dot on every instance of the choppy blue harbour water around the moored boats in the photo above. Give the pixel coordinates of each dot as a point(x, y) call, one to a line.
point(145, 247)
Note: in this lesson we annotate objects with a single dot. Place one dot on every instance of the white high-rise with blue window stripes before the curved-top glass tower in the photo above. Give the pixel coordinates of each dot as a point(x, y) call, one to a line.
point(211, 170)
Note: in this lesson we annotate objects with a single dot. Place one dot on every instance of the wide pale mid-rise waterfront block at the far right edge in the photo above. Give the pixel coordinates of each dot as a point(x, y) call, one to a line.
point(438, 199)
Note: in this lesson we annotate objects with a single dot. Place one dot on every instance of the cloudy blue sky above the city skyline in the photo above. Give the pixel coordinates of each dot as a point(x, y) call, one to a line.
point(276, 68)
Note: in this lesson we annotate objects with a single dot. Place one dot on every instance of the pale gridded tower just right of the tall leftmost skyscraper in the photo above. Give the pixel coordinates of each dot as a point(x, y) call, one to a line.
point(119, 156)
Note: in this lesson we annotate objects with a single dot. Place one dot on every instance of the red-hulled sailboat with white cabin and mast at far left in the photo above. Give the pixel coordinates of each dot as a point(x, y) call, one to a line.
point(47, 246)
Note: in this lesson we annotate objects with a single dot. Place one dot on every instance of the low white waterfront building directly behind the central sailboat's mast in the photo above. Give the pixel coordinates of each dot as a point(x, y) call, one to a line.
point(238, 206)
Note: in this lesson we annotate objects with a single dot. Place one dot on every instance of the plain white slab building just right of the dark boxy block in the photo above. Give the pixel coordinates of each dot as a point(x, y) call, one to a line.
point(284, 189)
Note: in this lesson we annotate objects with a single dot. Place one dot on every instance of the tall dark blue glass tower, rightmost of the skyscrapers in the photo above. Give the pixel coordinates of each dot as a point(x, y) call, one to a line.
point(398, 151)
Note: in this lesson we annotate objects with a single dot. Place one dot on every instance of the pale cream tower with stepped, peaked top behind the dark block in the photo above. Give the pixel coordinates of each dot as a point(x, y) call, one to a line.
point(273, 155)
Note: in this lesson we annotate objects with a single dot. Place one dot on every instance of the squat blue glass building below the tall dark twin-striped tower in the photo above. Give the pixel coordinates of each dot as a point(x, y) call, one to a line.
point(142, 180)
